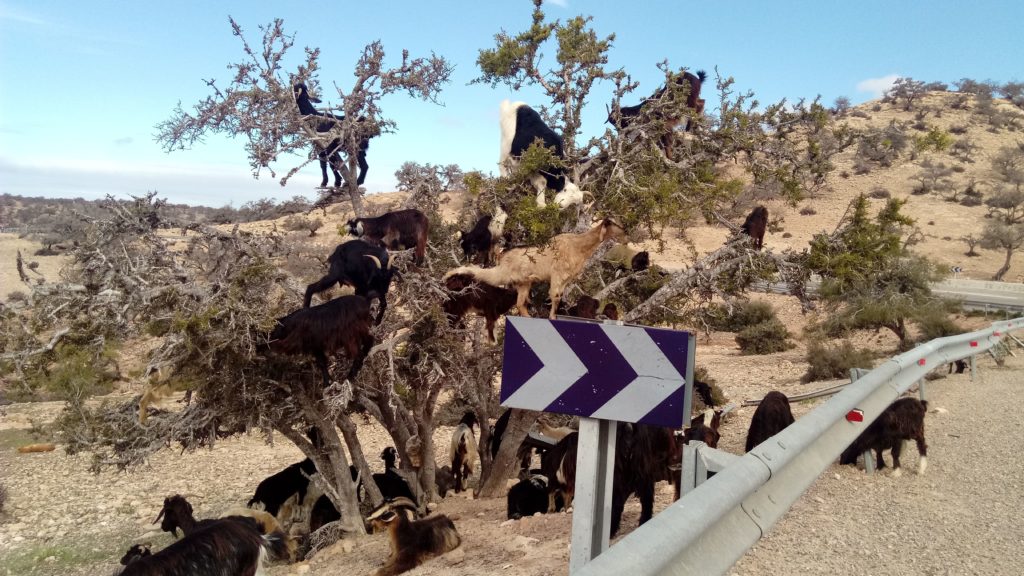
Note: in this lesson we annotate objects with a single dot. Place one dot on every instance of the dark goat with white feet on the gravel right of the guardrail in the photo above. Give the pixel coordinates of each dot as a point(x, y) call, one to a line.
point(905, 420)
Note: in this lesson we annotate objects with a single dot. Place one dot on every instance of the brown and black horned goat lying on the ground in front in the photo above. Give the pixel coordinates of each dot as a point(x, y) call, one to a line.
point(413, 542)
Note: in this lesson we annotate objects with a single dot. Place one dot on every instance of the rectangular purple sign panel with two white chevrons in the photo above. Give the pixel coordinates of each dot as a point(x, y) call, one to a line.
point(606, 372)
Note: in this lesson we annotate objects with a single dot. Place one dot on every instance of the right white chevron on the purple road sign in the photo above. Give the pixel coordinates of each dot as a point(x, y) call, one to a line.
point(657, 378)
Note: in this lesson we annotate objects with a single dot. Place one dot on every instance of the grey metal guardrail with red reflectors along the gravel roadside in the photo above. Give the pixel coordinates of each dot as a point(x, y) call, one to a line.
point(709, 529)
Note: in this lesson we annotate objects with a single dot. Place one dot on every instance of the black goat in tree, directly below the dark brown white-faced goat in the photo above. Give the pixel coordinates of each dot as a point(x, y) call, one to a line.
point(362, 266)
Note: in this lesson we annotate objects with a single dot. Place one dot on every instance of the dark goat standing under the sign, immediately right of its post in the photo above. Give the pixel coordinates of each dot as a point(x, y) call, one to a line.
point(645, 456)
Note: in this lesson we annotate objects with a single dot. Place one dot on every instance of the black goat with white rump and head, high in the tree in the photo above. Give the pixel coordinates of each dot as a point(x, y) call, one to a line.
point(522, 126)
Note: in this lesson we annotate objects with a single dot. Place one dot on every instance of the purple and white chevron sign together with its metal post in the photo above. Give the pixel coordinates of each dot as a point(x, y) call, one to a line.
point(606, 375)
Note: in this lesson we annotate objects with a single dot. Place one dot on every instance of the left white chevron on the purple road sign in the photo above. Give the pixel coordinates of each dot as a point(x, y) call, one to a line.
point(562, 366)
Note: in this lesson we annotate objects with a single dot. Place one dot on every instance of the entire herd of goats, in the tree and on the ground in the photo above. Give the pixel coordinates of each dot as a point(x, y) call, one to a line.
point(289, 504)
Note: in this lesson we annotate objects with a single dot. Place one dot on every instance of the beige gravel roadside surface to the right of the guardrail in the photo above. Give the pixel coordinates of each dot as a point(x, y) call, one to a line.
point(963, 517)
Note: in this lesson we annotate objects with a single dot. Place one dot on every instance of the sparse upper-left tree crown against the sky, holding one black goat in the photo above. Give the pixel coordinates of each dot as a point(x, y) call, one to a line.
point(259, 105)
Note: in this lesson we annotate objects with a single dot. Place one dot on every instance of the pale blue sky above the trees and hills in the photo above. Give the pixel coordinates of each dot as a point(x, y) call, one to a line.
point(83, 84)
